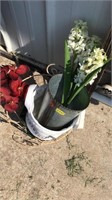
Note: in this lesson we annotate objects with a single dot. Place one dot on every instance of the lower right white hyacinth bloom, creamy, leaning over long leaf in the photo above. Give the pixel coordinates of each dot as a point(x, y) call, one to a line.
point(89, 61)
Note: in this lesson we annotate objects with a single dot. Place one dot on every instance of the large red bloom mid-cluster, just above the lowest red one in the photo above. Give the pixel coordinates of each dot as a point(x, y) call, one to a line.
point(17, 87)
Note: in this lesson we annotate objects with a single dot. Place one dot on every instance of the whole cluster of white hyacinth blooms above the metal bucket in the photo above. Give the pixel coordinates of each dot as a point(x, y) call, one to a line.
point(88, 55)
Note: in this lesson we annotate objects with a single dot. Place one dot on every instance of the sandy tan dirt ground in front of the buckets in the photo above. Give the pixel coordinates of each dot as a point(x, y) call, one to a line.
point(77, 166)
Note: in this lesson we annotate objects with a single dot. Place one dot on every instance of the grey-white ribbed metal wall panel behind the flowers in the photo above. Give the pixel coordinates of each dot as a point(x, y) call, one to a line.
point(40, 27)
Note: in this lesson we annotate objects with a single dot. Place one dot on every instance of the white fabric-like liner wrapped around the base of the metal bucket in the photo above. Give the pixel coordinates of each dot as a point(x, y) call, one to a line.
point(37, 129)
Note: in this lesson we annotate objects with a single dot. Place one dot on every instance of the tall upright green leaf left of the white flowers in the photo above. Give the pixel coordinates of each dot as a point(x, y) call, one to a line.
point(67, 74)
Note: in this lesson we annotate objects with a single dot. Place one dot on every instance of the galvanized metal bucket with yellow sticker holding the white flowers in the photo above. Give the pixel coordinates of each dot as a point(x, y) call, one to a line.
point(52, 114)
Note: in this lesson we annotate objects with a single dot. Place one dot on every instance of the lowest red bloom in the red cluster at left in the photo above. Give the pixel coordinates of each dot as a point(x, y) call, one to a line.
point(12, 105)
